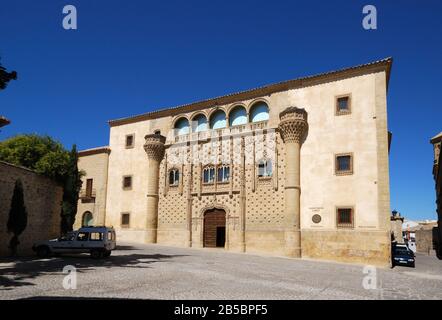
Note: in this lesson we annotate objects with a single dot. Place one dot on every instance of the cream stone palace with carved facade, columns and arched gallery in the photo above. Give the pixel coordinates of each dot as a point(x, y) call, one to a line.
point(297, 168)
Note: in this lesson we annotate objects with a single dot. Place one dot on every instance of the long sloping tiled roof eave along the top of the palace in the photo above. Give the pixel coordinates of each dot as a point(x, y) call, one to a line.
point(375, 66)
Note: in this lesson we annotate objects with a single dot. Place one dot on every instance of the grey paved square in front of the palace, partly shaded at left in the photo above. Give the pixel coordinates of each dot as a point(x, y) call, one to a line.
point(160, 272)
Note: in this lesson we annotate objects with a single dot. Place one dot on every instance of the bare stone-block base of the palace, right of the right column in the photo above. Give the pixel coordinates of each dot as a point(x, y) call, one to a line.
point(364, 247)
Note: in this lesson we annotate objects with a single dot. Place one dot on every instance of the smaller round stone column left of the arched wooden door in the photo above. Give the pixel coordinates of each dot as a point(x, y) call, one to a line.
point(154, 147)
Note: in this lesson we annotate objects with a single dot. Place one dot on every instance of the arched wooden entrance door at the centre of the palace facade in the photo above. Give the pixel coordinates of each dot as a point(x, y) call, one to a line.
point(214, 228)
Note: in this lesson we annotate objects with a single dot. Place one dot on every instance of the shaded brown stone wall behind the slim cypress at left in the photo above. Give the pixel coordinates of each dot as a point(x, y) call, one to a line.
point(42, 198)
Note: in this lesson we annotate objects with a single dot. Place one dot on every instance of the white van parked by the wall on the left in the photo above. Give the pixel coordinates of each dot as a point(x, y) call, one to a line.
point(98, 241)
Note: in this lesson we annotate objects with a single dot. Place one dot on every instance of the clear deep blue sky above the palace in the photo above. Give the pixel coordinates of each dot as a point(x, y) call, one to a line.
point(130, 57)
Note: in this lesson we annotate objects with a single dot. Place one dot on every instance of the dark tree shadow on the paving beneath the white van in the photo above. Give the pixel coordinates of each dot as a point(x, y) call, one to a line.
point(19, 271)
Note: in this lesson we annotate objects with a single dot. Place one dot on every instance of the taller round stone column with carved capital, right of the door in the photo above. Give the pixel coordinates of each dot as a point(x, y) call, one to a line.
point(293, 127)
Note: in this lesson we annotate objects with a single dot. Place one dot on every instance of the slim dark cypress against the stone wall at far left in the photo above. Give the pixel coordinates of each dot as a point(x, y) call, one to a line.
point(18, 216)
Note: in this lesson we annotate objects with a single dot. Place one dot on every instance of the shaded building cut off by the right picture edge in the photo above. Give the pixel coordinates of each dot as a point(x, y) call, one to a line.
point(437, 141)
